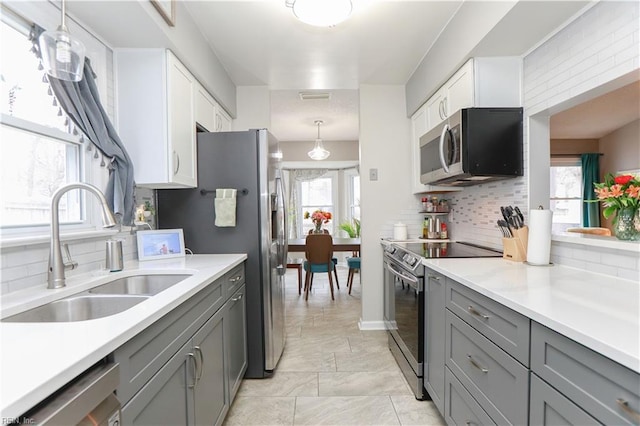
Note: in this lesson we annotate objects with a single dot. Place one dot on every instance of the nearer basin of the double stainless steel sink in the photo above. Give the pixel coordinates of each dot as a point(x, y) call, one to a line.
point(79, 308)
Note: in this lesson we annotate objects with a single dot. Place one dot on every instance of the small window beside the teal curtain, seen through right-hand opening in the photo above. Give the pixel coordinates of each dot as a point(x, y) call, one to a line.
point(566, 193)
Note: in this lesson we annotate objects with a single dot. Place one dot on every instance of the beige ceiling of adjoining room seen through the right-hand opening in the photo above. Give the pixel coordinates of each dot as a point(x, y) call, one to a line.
point(598, 117)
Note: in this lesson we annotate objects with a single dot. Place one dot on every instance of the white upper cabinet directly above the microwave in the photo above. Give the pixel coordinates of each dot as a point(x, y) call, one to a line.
point(480, 82)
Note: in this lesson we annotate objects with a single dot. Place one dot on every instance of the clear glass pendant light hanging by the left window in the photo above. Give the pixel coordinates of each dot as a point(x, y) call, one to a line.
point(62, 54)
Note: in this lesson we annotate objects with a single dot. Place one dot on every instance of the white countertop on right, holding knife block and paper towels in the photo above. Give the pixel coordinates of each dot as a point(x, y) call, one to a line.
point(599, 311)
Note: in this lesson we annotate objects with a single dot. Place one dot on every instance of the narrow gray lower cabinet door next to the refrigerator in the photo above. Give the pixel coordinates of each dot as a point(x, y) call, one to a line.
point(236, 343)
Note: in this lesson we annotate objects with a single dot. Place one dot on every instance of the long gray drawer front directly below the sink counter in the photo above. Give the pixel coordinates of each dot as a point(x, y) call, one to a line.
point(141, 357)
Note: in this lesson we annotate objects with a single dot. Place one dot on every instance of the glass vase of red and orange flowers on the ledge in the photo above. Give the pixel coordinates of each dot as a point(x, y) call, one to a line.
point(621, 196)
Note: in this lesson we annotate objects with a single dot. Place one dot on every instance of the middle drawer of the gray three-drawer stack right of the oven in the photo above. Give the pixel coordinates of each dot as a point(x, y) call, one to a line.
point(497, 381)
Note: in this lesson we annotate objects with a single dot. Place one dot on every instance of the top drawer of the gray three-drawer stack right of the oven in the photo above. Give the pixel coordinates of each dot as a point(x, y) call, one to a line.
point(503, 326)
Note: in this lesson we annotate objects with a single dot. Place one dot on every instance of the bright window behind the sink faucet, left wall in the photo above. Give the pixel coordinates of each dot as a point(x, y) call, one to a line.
point(38, 150)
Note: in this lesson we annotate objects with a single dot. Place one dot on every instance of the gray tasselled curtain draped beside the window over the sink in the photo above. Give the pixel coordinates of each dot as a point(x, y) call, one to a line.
point(81, 102)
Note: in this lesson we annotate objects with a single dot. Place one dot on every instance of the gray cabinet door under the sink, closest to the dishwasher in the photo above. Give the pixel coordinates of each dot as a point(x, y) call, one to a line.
point(166, 399)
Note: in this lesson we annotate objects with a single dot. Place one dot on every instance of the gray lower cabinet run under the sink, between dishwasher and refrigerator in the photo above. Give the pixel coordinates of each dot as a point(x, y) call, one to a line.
point(196, 385)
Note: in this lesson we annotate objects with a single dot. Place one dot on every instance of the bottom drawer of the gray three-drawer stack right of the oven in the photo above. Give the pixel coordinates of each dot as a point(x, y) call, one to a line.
point(461, 408)
